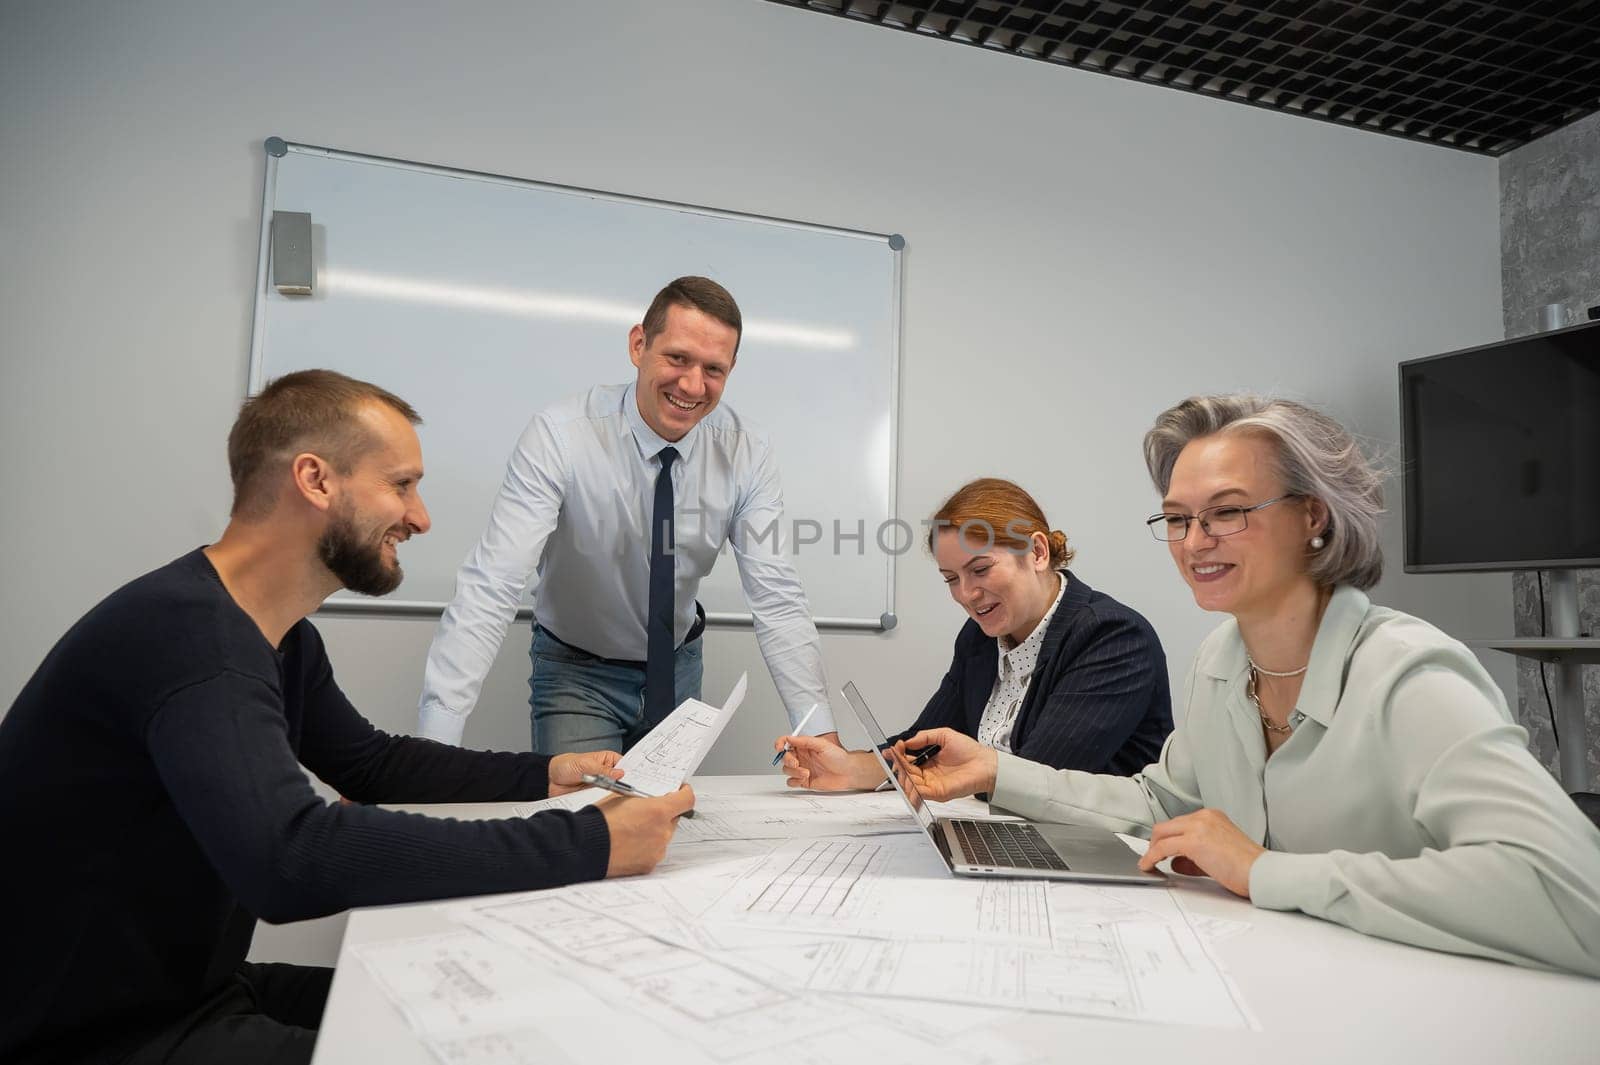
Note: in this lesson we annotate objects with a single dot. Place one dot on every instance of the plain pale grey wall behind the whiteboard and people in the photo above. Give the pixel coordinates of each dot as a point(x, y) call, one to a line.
point(1082, 253)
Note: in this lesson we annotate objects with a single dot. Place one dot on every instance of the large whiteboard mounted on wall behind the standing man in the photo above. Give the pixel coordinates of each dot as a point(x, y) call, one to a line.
point(482, 300)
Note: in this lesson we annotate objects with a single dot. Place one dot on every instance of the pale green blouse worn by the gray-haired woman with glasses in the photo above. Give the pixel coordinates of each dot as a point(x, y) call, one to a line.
point(1404, 805)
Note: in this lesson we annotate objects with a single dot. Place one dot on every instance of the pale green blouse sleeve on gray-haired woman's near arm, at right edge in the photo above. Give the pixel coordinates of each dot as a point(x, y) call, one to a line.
point(1513, 871)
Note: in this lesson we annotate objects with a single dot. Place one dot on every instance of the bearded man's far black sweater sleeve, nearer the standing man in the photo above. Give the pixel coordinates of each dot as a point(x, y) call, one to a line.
point(367, 765)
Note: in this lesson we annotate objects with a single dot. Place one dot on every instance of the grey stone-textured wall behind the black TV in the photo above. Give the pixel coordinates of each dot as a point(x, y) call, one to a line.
point(1551, 255)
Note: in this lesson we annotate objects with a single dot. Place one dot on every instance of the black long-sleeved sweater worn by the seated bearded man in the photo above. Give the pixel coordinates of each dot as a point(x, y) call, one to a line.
point(153, 807)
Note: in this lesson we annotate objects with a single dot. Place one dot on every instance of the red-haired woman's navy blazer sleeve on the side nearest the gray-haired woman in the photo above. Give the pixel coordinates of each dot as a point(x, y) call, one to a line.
point(1097, 700)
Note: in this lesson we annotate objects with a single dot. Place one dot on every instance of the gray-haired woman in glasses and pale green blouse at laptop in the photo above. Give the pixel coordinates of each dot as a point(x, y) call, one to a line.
point(1337, 757)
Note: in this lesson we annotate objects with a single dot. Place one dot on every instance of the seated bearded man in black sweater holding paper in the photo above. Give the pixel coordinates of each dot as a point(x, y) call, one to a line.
point(153, 797)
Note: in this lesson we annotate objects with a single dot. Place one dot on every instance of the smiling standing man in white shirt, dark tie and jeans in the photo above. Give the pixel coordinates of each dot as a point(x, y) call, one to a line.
point(617, 505)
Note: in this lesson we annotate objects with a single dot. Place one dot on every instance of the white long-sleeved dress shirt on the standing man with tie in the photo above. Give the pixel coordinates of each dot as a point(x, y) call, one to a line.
point(574, 521)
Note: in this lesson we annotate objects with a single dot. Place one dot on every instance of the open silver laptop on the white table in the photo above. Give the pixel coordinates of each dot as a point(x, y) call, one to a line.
point(1007, 848)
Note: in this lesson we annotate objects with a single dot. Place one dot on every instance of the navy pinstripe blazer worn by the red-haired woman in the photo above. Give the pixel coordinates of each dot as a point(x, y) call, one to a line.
point(1098, 701)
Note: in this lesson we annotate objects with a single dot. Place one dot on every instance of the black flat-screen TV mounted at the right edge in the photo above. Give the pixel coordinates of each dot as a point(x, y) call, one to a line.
point(1502, 465)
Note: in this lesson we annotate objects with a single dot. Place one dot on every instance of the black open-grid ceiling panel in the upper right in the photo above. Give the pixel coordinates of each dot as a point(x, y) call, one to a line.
point(1482, 78)
